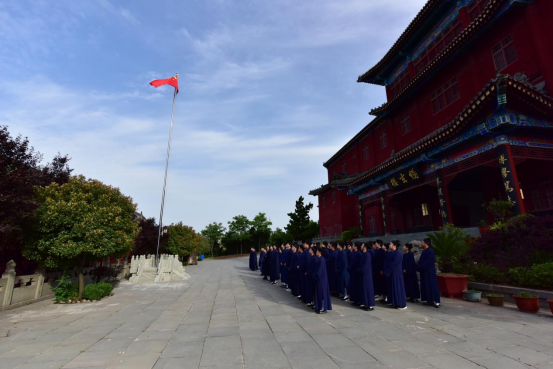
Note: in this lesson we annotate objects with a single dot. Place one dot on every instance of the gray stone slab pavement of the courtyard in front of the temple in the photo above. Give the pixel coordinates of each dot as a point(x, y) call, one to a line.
point(225, 316)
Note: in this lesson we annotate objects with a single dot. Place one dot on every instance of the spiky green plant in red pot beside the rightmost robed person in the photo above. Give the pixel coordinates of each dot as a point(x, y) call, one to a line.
point(448, 243)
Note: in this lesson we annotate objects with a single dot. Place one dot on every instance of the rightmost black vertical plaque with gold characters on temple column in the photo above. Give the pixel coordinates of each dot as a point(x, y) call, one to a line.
point(510, 179)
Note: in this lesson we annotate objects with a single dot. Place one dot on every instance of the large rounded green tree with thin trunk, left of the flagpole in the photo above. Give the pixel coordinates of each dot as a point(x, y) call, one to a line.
point(80, 222)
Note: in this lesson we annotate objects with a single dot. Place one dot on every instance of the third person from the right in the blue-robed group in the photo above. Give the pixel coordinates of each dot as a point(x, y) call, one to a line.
point(394, 274)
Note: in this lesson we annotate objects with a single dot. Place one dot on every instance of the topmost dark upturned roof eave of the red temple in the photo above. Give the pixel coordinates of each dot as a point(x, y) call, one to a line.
point(420, 18)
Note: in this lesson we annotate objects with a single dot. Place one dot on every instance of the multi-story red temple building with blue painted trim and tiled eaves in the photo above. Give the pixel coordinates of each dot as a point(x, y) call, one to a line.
point(468, 119)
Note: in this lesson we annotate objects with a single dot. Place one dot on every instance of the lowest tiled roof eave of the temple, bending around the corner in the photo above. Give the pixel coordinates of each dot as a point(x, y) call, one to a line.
point(500, 88)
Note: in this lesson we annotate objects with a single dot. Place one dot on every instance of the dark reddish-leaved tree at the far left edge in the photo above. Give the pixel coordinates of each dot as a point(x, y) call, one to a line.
point(20, 172)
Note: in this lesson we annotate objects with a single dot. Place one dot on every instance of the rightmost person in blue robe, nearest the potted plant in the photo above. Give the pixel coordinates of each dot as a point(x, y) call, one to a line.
point(427, 268)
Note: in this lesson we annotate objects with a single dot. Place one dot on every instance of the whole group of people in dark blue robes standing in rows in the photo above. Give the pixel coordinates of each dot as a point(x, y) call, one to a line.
point(361, 273)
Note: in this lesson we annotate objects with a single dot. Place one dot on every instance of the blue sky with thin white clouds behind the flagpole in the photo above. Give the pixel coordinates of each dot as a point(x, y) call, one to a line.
point(268, 93)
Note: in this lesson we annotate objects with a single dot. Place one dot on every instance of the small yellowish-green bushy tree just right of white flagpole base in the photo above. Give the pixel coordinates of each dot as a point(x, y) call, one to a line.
point(185, 241)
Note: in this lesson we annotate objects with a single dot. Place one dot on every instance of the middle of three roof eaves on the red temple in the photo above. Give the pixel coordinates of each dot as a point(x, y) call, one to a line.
point(476, 25)
